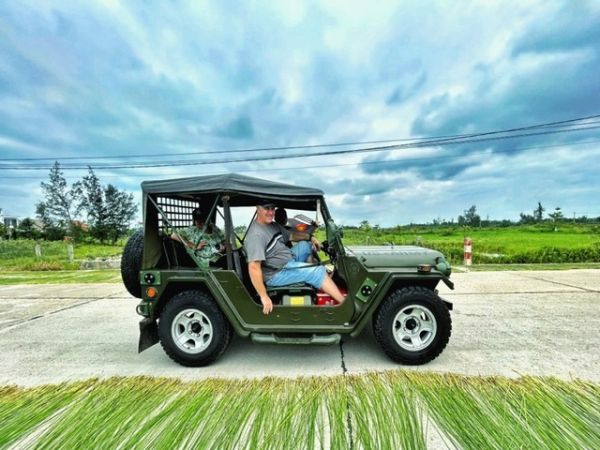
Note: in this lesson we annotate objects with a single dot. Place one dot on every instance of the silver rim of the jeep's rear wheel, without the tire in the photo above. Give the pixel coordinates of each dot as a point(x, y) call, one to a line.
point(192, 331)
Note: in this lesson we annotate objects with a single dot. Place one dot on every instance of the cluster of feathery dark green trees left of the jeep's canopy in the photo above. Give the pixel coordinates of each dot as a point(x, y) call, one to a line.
point(86, 208)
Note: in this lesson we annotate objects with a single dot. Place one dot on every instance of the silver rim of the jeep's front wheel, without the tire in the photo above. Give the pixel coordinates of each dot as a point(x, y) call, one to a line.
point(414, 327)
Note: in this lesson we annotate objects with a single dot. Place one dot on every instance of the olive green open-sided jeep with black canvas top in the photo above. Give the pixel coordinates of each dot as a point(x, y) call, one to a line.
point(194, 310)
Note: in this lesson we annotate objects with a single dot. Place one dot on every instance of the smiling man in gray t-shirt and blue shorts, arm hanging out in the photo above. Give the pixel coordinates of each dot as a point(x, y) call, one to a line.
point(271, 261)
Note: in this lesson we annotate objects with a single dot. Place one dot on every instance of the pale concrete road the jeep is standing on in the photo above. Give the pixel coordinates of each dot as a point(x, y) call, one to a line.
point(504, 323)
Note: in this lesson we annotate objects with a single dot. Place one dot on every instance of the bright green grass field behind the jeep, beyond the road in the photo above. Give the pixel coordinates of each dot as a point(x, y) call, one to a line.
point(520, 246)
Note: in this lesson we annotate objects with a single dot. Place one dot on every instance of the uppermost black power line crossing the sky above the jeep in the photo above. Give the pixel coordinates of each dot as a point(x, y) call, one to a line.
point(586, 121)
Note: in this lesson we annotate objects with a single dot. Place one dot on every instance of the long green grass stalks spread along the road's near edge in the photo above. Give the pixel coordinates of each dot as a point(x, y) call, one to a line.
point(391, 410)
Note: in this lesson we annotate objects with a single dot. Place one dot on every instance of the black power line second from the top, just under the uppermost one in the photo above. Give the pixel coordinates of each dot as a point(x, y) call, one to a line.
point(476, 138)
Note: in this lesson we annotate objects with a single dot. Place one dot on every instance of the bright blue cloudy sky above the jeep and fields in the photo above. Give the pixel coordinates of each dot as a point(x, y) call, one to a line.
point(187, 82)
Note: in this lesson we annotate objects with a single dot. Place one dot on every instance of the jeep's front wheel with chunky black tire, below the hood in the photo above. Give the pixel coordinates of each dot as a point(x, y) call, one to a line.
point(431, 312)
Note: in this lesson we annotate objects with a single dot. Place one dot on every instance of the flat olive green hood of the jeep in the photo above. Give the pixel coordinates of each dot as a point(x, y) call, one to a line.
point(396, 256)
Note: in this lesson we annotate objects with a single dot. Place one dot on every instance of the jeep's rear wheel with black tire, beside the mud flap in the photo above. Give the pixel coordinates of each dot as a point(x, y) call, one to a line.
point(179, 340)
